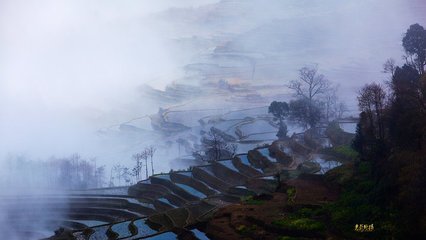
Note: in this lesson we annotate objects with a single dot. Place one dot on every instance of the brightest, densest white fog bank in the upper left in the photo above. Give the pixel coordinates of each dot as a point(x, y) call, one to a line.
point(64, 65)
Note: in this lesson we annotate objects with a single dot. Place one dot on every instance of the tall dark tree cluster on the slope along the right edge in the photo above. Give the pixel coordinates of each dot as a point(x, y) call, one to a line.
point(391, 135)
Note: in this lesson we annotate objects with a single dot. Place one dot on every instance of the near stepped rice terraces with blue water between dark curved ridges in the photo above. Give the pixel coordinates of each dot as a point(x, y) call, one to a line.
point(152, 208)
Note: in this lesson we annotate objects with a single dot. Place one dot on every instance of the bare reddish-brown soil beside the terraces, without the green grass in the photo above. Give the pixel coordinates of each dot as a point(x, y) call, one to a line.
point(250, 221)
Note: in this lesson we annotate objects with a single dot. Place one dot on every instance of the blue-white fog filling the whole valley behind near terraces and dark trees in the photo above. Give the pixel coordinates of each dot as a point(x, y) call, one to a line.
point(85, 85)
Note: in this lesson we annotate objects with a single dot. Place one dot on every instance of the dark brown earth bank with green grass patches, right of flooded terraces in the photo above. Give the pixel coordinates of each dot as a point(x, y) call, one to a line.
point(279, 215)
